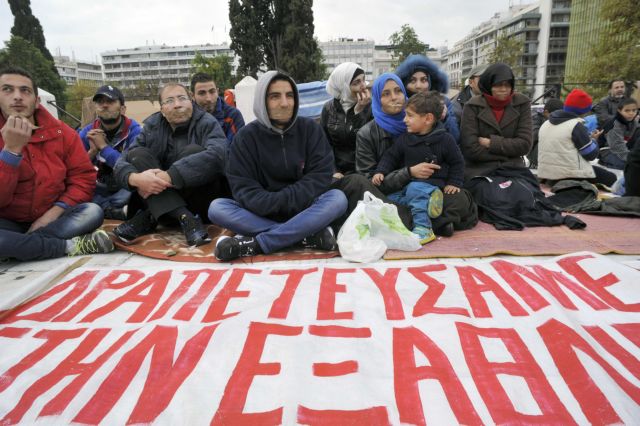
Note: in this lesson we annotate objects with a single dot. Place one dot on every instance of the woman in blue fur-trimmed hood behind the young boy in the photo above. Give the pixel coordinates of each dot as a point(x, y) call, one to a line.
point(420, 74)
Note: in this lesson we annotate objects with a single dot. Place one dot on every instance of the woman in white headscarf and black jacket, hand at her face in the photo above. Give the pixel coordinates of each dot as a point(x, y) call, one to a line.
point(345, 114)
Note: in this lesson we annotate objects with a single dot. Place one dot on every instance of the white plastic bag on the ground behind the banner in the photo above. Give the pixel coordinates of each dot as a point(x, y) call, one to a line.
point(372, 228)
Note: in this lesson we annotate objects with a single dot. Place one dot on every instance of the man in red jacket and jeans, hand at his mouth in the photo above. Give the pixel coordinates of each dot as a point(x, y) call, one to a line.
point(47, 180)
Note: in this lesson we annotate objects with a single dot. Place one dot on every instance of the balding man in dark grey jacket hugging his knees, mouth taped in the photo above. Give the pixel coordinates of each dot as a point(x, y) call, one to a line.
point(176, 167)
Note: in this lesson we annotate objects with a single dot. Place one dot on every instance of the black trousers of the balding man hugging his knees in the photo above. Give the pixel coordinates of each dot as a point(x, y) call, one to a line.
point(195, 199)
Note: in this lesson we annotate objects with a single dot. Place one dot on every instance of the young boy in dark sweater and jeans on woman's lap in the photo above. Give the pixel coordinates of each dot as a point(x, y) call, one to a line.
point(426, 141)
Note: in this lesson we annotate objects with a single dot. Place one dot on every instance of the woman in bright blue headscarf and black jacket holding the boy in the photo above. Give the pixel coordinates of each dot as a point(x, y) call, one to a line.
point(388, 101)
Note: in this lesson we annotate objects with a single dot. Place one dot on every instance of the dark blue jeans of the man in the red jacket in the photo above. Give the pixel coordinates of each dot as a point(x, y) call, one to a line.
point(49, 241)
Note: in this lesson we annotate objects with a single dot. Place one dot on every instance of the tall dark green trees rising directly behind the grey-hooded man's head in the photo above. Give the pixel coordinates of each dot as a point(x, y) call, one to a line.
point(275, 34)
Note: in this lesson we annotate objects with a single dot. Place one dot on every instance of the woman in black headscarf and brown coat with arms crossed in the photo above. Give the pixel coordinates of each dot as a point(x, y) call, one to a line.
point(496, 125)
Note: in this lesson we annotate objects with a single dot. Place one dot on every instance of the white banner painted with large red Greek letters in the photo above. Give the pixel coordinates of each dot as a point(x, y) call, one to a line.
point(432, 343)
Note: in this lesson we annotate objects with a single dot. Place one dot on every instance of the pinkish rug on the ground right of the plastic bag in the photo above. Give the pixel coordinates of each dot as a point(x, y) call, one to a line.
point(603, 234)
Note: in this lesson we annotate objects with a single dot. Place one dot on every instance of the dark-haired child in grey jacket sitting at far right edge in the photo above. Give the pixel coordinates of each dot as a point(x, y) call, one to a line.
point(622, 135)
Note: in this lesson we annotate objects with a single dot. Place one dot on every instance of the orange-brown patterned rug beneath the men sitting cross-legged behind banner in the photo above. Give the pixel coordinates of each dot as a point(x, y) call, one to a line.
point(169, 244)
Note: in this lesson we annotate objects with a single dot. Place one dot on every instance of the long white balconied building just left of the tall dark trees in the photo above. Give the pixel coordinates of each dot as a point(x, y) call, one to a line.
point(156, 65)
